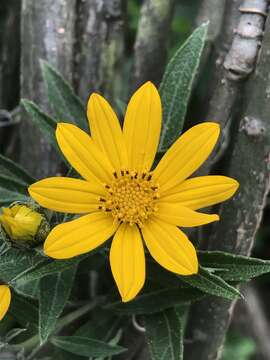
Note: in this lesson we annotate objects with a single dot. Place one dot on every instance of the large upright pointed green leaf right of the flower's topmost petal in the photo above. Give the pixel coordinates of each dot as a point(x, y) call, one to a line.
point(176, 85)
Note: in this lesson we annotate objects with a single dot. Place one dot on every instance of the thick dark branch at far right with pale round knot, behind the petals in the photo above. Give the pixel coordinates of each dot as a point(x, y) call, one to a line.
point(240, 219)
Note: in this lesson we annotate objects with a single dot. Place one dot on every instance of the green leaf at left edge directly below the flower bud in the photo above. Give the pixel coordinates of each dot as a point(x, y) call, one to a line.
point(15, 263)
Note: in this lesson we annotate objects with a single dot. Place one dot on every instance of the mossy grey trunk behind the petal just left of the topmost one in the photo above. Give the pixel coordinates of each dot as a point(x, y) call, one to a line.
point(99, 47)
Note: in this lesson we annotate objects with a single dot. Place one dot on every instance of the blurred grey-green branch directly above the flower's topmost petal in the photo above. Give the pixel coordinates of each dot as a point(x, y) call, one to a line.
point(151, 41)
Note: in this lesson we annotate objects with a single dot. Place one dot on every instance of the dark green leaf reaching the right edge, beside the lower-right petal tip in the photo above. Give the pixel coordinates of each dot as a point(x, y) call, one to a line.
point(234, 267)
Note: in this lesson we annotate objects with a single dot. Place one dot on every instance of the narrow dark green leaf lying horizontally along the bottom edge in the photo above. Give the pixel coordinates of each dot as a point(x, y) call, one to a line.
point(86, 346)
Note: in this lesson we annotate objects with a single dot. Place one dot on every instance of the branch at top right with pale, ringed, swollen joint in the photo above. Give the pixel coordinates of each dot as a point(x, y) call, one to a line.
point(235, 65)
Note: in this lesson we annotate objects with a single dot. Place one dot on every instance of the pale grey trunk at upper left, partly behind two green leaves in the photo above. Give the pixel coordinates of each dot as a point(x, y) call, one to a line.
point(48, 28)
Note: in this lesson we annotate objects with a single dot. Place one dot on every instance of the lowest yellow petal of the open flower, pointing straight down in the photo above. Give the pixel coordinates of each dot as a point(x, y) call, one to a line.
point(127, 261)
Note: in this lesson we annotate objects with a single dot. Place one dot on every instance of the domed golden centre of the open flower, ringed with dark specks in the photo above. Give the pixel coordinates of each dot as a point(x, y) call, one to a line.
point(131, 197)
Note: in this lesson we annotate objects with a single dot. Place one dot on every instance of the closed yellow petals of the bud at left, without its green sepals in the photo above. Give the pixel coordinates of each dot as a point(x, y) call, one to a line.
point(20, 222)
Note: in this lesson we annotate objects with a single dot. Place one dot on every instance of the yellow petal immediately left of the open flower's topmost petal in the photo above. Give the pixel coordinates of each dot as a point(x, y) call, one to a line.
point(106, 131)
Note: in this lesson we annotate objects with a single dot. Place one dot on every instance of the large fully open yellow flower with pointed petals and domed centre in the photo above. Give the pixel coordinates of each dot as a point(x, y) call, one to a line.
point(124, 197)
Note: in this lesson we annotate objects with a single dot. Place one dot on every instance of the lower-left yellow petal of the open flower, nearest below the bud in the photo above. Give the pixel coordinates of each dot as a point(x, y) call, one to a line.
point(79, 236)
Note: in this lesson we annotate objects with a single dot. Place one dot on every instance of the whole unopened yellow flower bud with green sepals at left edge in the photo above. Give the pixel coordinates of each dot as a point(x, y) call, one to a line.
point(23, 224)
